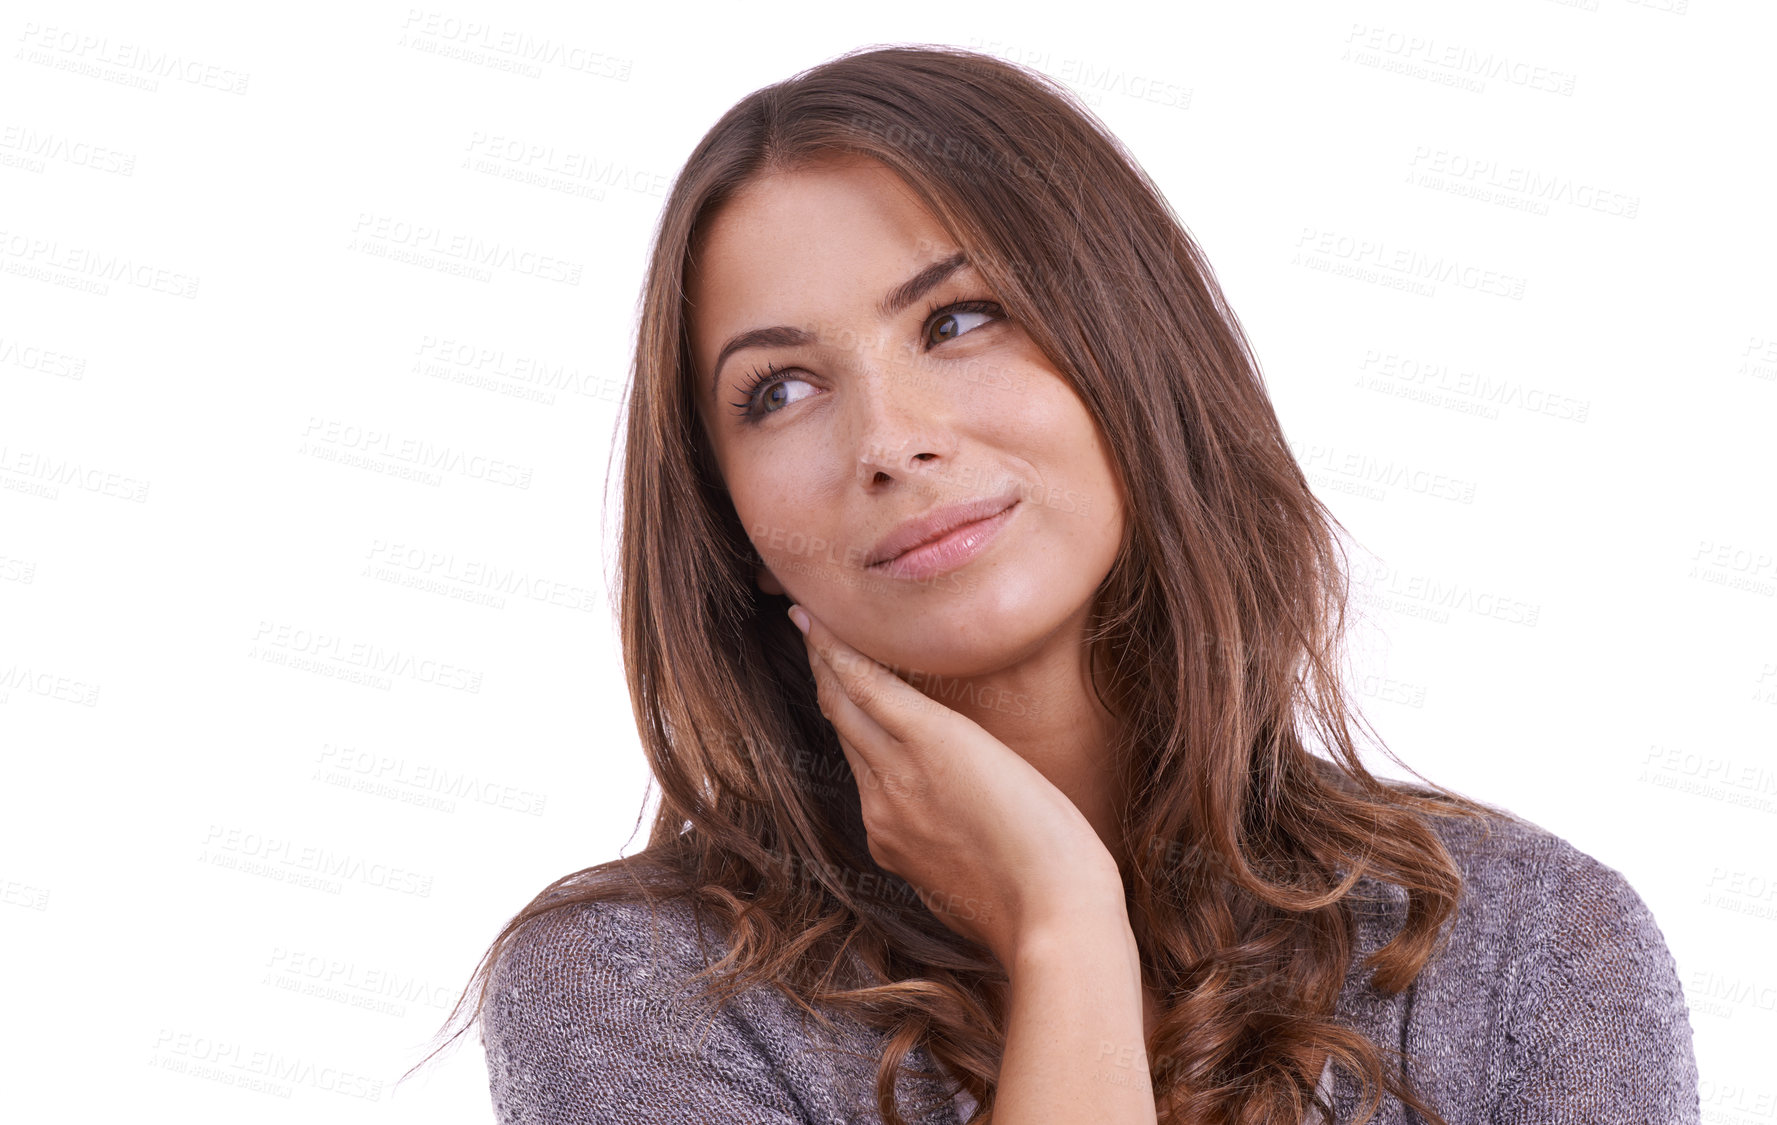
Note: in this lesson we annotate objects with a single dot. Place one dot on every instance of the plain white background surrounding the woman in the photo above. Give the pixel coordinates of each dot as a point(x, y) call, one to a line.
point(1566, 493)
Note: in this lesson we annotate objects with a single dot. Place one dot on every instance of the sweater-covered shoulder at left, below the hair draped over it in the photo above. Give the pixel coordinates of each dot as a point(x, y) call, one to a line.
point(596, 1014)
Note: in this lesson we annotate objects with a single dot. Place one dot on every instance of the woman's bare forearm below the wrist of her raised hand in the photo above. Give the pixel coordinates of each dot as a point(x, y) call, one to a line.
point(1076, 1049)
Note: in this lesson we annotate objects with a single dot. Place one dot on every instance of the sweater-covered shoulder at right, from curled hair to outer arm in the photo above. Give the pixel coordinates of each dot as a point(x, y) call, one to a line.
point(1554, 991)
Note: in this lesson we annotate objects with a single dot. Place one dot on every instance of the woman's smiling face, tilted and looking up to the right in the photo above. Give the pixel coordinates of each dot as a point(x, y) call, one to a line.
point(863, 387)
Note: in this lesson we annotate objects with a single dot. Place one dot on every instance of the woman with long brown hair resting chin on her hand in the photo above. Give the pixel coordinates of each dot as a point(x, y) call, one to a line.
point(982, 630)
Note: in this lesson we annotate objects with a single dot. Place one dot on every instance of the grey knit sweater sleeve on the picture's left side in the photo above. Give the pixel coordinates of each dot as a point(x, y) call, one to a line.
point(593, 1021)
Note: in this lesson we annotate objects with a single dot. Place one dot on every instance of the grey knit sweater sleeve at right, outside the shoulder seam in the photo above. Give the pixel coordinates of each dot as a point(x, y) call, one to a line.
point(1600, 1032)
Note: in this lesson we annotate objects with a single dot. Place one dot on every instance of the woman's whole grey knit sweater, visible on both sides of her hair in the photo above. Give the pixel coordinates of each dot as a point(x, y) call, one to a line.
point(1554, 1001)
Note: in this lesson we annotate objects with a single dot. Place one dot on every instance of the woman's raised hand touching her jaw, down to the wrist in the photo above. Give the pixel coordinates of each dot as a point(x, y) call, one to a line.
point(992, 847)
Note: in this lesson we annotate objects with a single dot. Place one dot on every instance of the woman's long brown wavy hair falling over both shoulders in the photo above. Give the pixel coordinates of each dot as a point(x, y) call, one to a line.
point(1216, 634)
